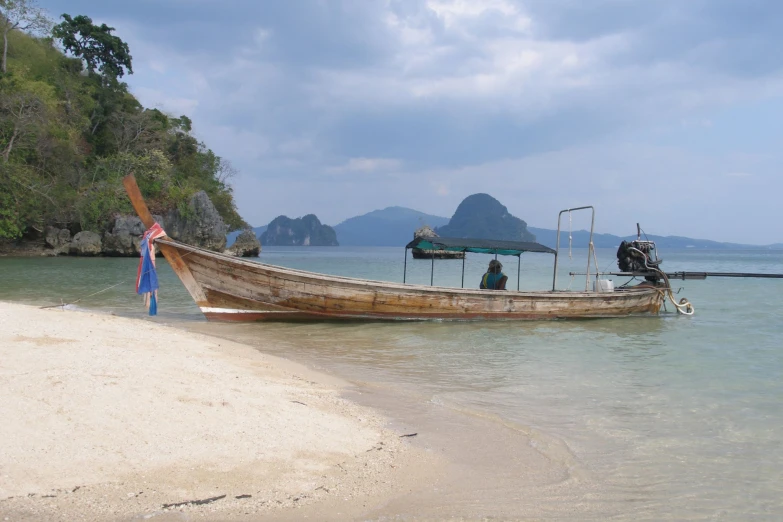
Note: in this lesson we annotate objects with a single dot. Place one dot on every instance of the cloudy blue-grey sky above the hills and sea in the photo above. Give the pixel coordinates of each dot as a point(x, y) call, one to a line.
point(665, 112)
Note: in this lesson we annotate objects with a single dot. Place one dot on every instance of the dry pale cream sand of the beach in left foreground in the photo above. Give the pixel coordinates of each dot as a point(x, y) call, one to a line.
point(109, 418)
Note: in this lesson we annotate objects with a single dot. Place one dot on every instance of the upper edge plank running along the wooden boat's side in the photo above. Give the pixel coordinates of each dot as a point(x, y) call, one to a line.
point(388, 285)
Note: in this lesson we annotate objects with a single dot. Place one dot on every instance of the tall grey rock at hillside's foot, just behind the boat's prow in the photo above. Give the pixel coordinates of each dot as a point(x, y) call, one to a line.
point(200, 226)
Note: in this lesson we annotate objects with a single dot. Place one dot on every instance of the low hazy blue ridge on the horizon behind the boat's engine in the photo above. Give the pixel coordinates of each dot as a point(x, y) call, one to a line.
point(581, 239)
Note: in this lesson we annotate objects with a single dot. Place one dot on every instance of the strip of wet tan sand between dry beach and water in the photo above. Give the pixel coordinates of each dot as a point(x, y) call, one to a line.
point(491, 468)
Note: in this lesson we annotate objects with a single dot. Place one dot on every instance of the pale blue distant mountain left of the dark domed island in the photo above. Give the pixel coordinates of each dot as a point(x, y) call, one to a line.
point(392, 226)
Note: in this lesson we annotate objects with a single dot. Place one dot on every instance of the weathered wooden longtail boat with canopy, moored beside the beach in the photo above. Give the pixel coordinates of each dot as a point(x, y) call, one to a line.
point(231, 289)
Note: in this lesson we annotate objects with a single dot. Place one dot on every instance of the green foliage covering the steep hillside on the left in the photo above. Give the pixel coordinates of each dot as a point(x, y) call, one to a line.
point(67, 139)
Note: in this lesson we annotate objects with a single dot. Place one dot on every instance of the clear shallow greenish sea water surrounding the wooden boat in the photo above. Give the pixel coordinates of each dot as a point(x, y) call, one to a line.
point(667, 417)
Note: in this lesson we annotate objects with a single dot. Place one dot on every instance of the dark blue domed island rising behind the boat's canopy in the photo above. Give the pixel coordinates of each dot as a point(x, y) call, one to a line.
point(482, 216)
